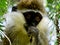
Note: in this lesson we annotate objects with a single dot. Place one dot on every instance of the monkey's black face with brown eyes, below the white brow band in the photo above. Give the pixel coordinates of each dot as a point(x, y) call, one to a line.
point(32, 18)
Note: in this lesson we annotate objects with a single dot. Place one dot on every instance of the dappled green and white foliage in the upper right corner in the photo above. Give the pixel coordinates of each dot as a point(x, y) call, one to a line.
point(54, 8)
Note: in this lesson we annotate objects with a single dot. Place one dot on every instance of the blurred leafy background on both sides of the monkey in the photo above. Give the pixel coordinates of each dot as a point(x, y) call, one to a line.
point(53, 9)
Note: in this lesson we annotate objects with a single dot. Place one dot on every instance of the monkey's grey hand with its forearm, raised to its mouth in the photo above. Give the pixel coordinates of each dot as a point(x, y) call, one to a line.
point(34, 32)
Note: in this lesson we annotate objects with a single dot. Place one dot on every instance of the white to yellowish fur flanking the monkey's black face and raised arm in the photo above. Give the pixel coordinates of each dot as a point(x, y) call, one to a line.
point(15, 21)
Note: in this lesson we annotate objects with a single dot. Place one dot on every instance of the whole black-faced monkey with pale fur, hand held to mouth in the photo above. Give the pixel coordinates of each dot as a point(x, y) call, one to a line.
point(27, 24)
